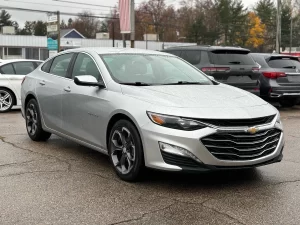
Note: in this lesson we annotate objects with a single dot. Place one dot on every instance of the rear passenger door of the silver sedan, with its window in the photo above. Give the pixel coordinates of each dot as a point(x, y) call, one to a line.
point(50, 87)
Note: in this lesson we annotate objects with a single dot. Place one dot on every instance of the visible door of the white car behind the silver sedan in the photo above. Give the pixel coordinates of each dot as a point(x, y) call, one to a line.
point(21, 70)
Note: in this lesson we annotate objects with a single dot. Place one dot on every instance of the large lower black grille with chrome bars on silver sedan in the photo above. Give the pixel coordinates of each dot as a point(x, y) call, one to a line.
point(242, 146)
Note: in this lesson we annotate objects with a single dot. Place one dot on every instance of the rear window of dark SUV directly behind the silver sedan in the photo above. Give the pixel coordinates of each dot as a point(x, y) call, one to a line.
point(231, 57)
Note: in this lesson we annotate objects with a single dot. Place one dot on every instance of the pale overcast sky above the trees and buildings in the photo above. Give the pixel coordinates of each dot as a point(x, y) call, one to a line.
point(54, 5)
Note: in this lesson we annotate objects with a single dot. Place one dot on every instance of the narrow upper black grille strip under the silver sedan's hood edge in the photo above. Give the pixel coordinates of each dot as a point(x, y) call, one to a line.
point(238, 122)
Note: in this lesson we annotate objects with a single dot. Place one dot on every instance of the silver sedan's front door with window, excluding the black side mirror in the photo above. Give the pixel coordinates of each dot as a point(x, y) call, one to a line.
point(82, 106)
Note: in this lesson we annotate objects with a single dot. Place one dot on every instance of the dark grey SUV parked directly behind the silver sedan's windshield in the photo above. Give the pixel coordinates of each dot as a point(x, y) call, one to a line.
point(230, 65)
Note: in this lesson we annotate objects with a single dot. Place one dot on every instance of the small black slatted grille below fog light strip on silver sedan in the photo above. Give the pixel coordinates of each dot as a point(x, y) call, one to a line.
point(178, 160)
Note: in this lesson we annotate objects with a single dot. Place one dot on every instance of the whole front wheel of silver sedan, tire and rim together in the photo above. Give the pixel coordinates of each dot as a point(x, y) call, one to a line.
point(125, 151)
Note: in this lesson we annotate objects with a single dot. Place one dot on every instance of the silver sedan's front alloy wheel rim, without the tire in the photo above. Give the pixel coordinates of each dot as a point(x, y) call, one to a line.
point(123, 150)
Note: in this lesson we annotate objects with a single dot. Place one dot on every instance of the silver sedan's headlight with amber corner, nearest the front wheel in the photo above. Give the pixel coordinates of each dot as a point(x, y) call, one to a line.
point(175, 122)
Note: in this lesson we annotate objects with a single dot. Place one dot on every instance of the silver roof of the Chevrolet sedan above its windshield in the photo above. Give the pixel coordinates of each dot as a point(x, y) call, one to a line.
point(111, 50)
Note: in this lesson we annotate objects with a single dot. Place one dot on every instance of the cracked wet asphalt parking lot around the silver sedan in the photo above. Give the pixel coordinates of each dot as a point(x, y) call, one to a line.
point(60, 182)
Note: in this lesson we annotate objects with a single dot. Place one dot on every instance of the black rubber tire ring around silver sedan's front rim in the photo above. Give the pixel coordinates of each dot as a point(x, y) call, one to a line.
point(139, 163)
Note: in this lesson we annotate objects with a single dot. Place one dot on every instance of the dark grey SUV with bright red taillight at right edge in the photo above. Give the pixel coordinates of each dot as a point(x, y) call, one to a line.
point(281, 78)
